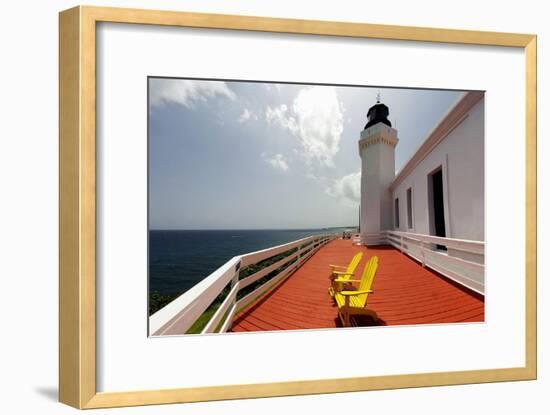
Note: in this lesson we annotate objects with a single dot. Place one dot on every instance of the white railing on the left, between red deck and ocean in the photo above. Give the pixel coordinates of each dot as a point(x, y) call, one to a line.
point(178, 316)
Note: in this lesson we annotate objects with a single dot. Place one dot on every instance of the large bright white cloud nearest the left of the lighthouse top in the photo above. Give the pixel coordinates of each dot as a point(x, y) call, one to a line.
point(316, 118)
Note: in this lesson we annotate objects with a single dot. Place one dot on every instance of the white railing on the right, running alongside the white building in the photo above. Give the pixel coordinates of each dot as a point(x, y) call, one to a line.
point(461, 260)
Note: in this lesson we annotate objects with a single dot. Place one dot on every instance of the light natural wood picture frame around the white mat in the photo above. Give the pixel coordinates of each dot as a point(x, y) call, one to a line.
point(77, 291)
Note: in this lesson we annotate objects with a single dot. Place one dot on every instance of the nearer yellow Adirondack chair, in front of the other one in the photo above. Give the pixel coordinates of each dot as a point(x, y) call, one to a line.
point(352, 301)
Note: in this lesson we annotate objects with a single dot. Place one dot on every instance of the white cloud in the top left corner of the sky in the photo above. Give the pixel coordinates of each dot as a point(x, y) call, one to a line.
point(186, 92)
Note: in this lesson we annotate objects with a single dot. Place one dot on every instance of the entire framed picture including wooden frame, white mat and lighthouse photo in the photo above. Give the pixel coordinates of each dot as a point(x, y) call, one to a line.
point(254, 207)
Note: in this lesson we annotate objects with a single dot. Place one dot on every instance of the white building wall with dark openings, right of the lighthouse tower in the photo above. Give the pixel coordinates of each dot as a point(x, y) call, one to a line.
point(461, 156)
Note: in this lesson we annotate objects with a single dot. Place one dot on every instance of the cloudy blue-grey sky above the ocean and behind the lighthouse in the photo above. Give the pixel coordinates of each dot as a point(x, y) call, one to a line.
point(256, 155)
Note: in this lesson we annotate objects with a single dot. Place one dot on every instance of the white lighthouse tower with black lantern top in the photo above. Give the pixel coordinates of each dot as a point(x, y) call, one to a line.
point(377, 150)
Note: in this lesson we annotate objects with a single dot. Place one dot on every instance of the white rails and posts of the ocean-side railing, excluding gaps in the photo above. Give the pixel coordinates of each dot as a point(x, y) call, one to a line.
point(189, 306)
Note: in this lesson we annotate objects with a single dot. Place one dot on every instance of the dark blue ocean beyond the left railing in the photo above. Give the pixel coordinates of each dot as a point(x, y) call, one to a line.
point(179, 259)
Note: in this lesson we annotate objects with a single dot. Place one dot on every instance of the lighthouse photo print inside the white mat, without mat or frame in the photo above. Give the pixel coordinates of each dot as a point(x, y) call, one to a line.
point(261, 261)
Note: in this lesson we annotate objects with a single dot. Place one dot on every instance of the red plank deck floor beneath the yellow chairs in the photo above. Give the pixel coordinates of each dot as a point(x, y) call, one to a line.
point(404, 293)
